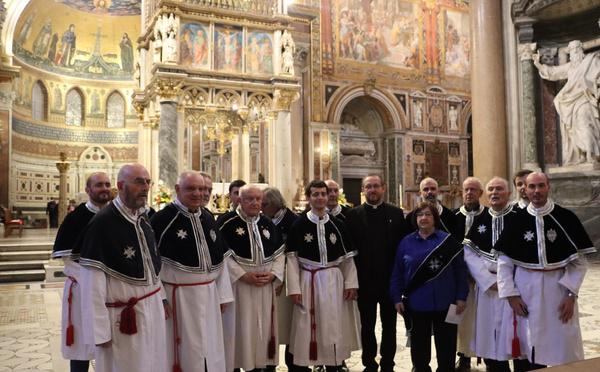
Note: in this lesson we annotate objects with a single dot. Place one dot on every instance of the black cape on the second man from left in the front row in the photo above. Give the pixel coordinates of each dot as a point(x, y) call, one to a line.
point(188, 241)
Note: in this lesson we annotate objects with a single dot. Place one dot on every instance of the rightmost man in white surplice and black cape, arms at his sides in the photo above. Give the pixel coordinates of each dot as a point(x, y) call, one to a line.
point(540, 270)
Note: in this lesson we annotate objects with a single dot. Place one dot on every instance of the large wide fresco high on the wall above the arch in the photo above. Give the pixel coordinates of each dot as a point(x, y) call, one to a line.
point(381, 32)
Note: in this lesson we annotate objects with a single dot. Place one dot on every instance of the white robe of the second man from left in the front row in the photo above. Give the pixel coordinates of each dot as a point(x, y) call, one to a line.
point(199, 318)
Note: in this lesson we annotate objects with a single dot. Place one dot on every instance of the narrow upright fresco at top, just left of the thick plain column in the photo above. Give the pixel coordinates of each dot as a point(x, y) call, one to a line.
point(457, 44)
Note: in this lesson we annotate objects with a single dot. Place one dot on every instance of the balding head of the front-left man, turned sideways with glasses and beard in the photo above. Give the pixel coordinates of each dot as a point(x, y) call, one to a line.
point(133, 182)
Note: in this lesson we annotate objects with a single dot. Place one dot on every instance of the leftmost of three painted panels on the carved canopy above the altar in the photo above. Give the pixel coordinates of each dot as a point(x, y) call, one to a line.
point(194, 45)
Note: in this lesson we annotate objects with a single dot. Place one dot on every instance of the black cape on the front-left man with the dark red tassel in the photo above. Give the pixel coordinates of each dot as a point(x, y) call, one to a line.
point(121, 246)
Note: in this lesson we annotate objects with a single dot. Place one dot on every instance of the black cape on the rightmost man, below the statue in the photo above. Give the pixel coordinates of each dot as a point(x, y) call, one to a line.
point(564, 239)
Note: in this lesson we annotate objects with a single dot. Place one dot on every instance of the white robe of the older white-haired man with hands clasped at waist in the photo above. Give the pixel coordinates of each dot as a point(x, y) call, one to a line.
point(247, 324)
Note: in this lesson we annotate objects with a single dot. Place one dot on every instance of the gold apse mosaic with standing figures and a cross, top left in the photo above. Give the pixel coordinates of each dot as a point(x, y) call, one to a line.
point(77, 42)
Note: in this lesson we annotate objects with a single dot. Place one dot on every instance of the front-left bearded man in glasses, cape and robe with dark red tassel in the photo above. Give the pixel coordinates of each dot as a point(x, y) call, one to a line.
point(122, 292)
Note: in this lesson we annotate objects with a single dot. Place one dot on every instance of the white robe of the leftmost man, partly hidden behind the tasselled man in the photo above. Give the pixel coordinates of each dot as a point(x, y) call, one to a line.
point(79, 350)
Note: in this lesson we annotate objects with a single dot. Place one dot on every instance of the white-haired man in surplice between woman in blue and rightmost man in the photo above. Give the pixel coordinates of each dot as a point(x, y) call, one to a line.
point(493, 319)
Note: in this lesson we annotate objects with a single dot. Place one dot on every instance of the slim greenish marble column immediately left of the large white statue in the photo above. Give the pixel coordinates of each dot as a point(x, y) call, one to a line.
point(528, 106)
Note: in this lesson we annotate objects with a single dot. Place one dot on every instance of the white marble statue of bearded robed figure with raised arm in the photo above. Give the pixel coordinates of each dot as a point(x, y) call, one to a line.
point(577, 103)
